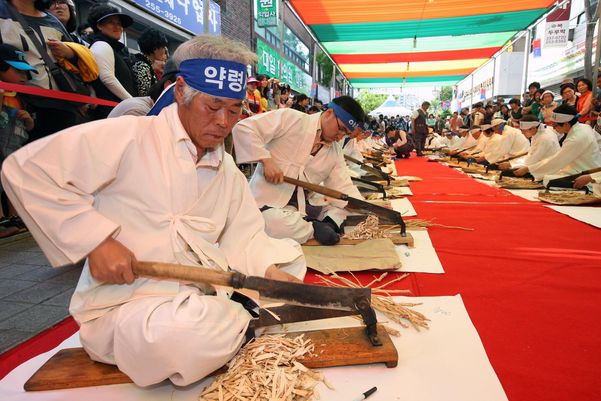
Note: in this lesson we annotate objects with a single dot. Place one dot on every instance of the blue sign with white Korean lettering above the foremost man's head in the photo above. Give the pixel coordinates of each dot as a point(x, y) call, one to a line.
point(186, 14)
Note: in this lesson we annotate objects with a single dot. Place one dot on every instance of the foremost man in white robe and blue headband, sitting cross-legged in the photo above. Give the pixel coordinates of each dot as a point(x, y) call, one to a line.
point(158, 189)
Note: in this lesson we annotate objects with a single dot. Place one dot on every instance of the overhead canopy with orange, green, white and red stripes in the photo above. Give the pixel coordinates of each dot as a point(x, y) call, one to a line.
point(389, 43)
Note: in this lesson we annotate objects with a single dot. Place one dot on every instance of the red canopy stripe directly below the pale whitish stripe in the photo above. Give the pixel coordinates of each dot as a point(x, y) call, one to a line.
point(484, 52)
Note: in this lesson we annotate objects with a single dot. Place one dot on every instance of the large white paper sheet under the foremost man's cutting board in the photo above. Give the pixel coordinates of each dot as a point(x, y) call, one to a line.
point(446, 362)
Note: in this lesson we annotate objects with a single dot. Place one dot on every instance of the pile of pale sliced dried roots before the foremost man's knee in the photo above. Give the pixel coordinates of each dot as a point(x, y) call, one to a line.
point(265, 369)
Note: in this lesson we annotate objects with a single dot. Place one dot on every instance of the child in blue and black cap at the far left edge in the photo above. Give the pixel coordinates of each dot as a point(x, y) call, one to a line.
point(15, 122)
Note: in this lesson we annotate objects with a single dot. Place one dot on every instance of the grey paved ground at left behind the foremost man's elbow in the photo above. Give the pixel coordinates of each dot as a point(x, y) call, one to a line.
point(33, 295)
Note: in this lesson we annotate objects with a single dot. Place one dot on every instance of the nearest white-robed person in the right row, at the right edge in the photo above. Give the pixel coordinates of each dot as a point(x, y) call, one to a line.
point(579, 152)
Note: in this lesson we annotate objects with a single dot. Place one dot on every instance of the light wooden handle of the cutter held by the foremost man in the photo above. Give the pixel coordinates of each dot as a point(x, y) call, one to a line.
point(183, 273)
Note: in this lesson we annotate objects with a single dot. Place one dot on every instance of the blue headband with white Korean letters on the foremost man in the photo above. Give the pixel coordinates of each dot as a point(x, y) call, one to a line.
point(214, 77)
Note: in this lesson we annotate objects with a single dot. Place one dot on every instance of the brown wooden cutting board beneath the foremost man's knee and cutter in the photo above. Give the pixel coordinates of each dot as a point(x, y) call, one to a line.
point(72, 367)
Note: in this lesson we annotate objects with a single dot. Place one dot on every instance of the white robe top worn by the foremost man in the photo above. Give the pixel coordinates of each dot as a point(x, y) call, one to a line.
point(136, 179)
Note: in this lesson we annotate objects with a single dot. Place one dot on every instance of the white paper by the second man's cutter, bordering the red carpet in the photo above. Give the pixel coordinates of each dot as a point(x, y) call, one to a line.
point(422, 258)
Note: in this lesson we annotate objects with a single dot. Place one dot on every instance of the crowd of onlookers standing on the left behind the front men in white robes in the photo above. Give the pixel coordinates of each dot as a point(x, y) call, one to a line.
point(43, 46)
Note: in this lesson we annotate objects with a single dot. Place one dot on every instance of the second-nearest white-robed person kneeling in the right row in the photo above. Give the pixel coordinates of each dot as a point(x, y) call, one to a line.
point(543, 143)
